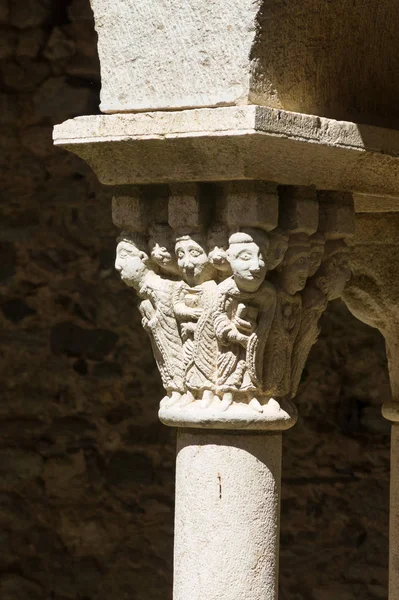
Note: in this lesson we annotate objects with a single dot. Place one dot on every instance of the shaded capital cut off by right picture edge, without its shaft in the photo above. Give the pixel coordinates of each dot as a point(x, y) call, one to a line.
point(373, 291)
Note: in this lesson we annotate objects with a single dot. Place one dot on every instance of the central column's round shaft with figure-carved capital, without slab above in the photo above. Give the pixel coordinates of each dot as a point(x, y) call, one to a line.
point(233, 278)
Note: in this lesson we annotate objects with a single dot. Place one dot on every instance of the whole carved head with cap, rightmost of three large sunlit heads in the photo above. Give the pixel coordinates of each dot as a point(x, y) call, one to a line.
point(246, 254)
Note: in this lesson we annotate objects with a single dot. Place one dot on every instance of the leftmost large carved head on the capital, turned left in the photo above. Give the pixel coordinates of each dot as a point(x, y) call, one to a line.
point(132, 258)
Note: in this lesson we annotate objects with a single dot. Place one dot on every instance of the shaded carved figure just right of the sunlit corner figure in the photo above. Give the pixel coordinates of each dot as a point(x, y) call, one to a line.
point(289, 279)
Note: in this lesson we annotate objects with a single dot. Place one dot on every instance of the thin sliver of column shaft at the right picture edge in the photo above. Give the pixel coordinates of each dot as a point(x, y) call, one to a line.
point(394, 516)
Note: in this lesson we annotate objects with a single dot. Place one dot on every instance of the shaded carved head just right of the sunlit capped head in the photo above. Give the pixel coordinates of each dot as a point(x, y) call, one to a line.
point(293, 271)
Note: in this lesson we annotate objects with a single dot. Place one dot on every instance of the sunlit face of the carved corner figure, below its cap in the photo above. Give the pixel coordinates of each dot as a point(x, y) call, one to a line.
point(248, 265)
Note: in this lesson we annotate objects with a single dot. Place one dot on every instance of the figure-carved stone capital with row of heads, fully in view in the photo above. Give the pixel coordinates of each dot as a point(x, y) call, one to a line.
point(233, 279)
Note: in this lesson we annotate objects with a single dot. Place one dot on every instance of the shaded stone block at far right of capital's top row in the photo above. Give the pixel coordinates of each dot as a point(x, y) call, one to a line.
point(336, 214)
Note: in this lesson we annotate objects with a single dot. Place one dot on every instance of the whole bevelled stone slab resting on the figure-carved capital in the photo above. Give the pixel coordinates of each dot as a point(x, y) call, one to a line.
point(236, 143)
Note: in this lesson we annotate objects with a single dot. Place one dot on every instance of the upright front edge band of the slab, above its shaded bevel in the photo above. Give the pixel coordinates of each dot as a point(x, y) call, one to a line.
point(227, 121)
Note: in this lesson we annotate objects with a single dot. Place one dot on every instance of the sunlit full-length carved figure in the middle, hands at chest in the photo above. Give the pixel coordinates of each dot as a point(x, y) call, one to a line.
point(192, 305)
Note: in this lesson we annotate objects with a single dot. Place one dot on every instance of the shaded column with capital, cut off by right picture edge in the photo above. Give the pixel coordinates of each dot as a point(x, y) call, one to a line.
point(372, 296)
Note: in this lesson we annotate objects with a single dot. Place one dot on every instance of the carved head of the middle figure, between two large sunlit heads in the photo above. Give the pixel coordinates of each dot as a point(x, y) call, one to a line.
point(192, 259)
